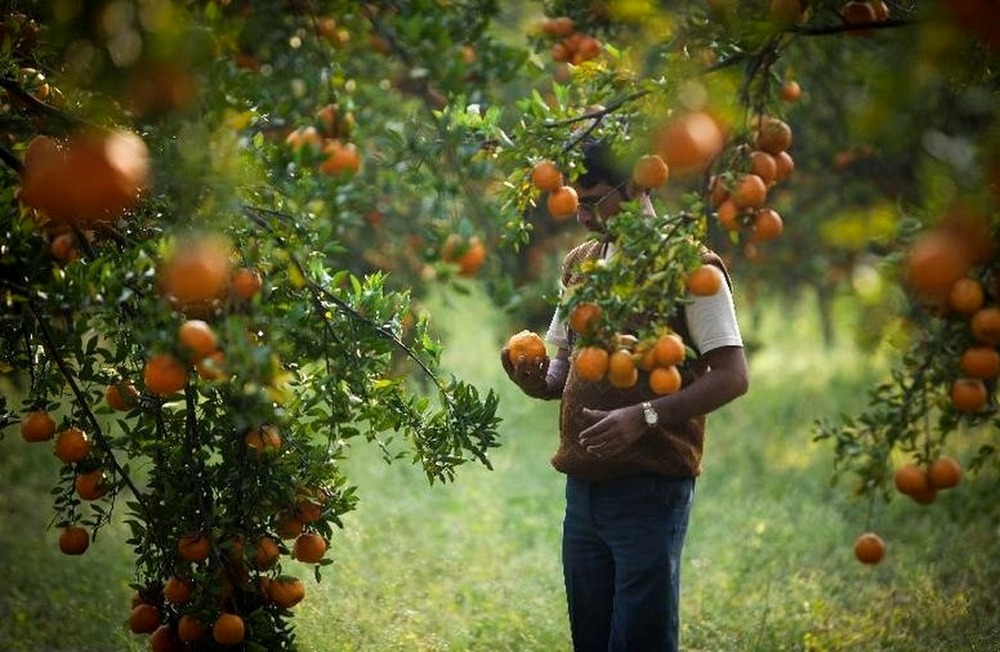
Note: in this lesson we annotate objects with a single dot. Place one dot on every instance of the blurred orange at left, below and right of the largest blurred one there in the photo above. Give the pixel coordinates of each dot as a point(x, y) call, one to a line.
point(197, 272)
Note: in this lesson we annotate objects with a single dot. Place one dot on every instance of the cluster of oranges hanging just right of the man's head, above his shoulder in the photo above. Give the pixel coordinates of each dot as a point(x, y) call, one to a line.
point(743, 201)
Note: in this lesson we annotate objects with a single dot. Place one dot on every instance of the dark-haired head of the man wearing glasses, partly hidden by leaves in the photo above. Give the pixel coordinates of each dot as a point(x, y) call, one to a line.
point(603, 186)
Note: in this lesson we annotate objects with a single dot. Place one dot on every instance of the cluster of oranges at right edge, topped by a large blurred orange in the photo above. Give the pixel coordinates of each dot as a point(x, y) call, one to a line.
point(948, 268)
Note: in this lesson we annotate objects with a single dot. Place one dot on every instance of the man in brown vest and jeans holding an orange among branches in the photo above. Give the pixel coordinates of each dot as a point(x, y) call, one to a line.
point(630, 457)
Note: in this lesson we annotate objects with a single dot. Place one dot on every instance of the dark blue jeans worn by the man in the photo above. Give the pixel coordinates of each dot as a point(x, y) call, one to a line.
point(622, 544)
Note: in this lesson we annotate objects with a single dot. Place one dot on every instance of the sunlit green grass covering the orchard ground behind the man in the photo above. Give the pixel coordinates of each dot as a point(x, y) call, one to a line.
point(474, 565)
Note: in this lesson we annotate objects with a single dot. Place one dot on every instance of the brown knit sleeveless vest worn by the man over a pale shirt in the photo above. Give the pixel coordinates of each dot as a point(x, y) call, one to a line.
point(671, 449)
